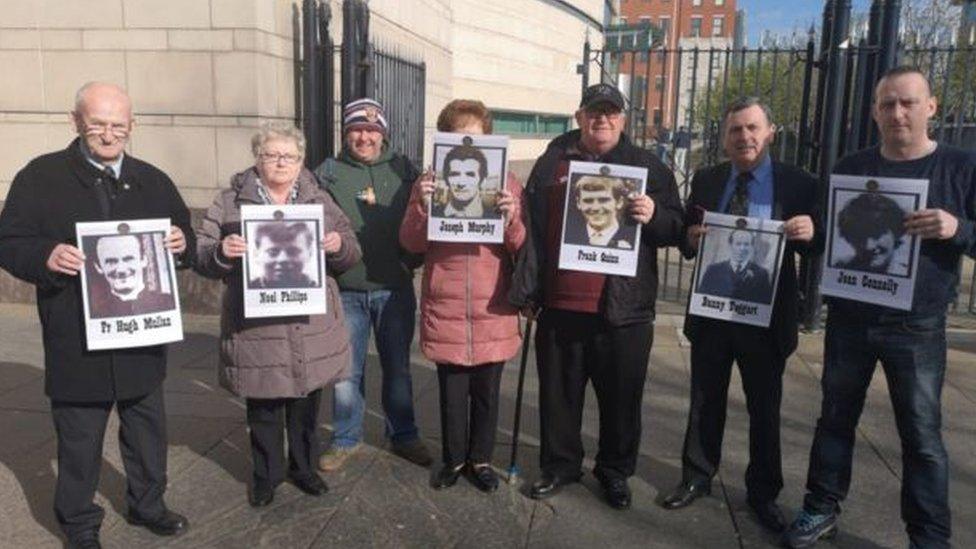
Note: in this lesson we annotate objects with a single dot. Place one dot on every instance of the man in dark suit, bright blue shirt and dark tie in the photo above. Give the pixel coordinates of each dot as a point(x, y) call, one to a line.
point(755, 186)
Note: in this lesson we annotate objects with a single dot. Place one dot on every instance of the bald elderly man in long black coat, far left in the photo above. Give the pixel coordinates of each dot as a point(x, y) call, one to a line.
point(94, 180)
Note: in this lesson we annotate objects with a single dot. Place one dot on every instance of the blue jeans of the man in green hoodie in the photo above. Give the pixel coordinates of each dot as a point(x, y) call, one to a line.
point(391, 314)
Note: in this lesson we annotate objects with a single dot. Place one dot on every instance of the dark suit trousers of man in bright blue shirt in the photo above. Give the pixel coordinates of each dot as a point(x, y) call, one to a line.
point(761, 366)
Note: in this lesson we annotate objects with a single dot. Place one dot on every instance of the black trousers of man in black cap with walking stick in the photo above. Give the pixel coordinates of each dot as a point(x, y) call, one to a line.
point(571, 349)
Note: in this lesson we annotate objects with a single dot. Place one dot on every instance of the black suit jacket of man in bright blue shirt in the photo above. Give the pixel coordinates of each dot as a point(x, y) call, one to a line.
point(794, 193)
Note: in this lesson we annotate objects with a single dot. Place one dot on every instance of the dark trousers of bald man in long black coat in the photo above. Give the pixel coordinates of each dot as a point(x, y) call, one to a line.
point(80, 431)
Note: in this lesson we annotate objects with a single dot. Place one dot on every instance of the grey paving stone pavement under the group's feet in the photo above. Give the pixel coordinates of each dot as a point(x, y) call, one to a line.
point(379, 500)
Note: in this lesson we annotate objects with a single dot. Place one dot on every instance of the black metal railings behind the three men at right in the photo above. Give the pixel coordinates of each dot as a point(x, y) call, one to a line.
point(677, 98)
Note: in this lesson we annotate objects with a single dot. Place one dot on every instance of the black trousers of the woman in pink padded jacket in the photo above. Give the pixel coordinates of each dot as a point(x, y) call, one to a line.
point(469, 411)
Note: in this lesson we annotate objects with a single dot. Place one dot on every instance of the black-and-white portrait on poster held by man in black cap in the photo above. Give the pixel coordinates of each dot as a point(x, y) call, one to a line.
point(598, 213)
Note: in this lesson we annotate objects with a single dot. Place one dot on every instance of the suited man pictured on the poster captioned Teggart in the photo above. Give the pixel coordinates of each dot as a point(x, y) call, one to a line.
point(738, 277)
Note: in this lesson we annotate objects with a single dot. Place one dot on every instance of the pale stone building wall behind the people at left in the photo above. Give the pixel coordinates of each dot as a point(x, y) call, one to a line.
point(204, 74)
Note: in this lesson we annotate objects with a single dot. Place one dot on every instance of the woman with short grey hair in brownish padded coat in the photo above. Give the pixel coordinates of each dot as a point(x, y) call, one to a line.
point(279, 365)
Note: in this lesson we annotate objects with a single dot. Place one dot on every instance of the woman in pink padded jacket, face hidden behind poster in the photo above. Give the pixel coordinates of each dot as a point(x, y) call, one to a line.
point(467, 326)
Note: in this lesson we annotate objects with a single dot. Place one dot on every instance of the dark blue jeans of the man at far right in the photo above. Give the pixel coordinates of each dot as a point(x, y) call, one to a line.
point(912, 352)
